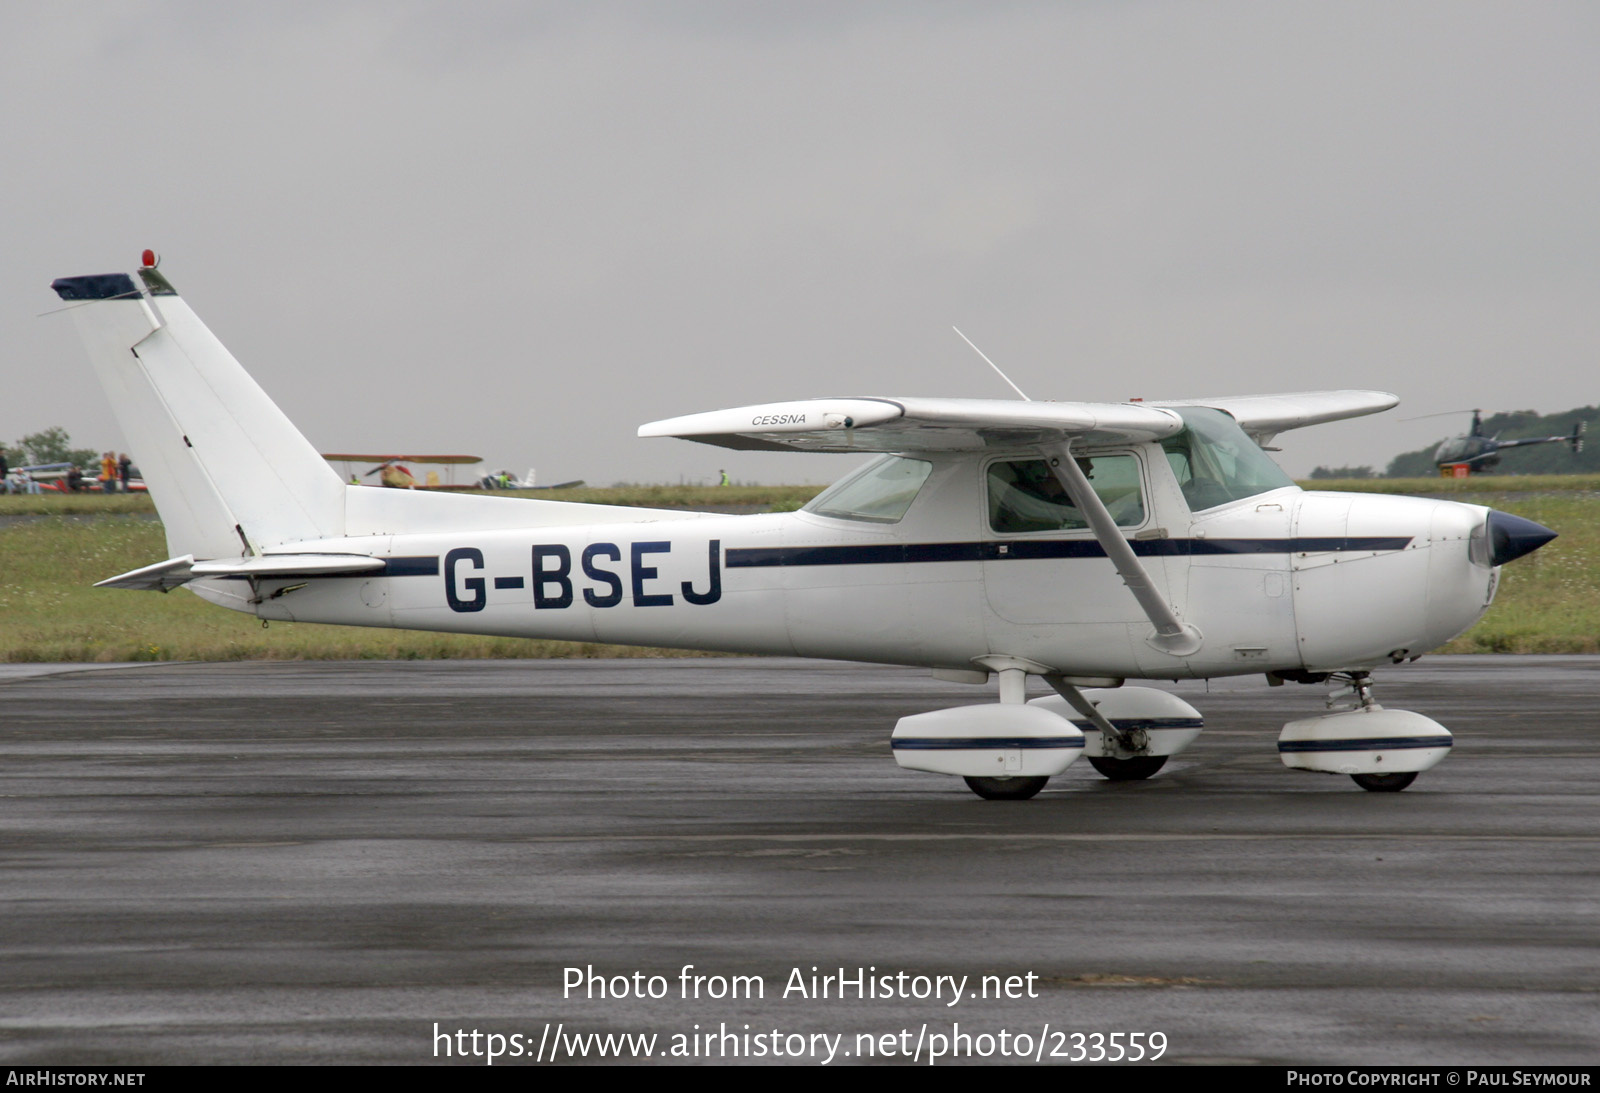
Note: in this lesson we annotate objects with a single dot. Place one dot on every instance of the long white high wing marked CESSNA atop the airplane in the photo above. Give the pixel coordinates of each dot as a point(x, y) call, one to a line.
point(974, 425)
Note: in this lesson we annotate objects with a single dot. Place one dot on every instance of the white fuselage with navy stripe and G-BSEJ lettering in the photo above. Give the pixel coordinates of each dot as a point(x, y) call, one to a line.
point(1266, 580)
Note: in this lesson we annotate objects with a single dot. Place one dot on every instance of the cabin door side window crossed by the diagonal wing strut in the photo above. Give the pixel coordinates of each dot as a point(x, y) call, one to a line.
point(1026, 497)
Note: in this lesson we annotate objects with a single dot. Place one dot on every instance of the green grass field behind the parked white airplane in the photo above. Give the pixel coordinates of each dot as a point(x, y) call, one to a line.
point(1548, 603)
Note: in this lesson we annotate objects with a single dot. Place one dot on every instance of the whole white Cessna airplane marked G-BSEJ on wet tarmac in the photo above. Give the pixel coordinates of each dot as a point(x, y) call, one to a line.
point(1082, 543)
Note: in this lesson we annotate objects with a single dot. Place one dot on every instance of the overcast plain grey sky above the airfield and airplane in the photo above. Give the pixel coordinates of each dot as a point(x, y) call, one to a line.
point(524, 230)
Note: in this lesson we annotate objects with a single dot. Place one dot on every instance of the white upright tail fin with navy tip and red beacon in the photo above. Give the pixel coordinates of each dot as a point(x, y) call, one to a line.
point(228, 471)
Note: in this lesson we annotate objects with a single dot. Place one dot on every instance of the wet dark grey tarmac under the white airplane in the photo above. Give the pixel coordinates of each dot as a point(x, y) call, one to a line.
point(337, 863)
